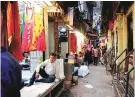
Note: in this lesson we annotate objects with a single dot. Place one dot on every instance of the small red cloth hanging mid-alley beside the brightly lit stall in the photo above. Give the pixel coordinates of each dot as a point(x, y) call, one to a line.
point(73, 42)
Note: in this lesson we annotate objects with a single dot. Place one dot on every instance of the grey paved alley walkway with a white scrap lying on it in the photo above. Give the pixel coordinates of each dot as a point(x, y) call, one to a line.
point(96, 84)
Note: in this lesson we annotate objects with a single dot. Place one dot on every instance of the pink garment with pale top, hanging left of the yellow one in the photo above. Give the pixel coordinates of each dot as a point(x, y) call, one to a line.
point(28, 29)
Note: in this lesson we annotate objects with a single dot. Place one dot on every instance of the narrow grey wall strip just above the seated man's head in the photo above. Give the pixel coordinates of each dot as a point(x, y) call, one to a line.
point(51, 37)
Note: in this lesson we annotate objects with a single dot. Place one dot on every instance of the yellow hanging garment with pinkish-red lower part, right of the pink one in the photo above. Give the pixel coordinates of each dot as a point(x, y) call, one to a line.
point(38, 39)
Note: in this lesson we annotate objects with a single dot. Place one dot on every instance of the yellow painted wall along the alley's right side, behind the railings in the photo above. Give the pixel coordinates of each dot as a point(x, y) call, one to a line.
point(121, 25)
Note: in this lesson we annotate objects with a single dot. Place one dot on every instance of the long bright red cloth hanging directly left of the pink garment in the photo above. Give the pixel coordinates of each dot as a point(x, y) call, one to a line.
point(15, 47)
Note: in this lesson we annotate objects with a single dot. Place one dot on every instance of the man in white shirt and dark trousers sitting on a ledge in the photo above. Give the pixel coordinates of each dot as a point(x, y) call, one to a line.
point(49, 72)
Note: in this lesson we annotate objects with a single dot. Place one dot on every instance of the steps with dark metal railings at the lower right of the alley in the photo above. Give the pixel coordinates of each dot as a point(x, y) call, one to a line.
point(122, 79)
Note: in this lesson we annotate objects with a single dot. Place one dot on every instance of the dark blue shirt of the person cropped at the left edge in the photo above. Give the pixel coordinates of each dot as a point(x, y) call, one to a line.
point(10, 75)
